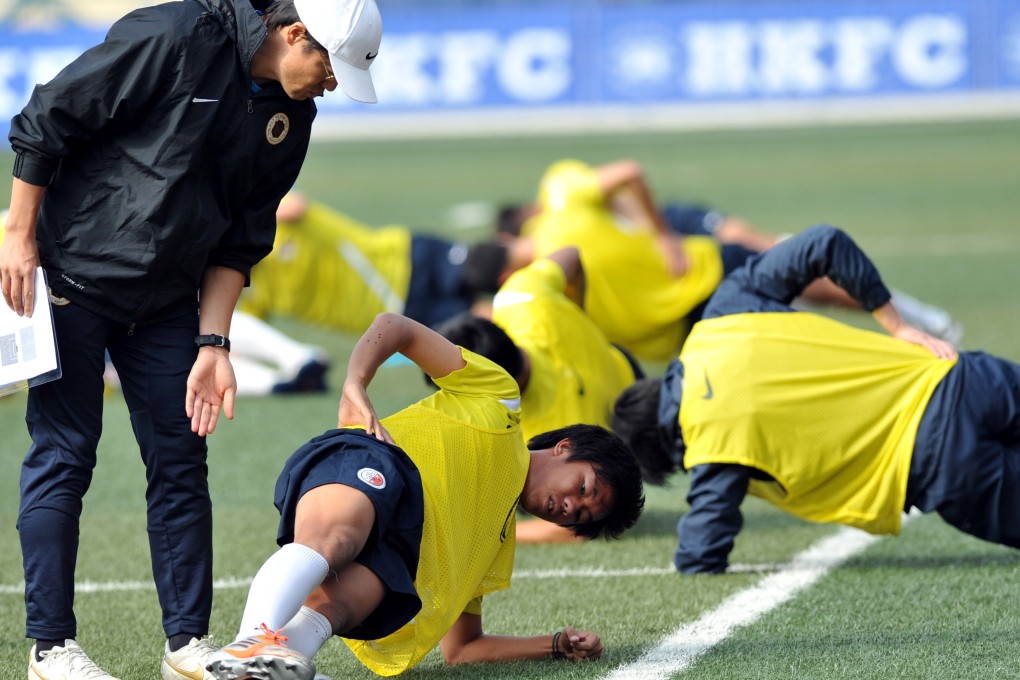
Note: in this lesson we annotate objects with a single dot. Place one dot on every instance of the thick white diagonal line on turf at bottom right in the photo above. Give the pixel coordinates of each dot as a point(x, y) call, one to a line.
point(688, 644)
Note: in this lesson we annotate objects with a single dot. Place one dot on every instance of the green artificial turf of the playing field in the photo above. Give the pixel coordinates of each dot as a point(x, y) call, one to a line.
point(937, 206)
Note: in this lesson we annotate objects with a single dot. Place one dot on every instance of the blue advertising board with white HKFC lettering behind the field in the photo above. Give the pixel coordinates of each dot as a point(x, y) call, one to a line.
point(479, 59)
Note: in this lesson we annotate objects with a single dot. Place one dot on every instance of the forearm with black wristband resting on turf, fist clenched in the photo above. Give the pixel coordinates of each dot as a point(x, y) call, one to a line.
point(466, 643)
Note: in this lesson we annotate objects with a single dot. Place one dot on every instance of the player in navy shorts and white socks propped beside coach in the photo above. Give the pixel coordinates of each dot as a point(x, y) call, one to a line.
point(413, 516)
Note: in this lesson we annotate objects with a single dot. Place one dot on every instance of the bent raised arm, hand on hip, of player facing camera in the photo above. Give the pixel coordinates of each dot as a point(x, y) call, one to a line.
point(389, 335)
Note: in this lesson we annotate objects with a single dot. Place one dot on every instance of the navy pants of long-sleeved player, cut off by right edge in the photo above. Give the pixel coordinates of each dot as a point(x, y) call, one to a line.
point(966, 463)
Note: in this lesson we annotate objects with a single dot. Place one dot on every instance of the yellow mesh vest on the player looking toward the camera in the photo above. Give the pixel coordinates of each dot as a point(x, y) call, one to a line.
point(472, 478)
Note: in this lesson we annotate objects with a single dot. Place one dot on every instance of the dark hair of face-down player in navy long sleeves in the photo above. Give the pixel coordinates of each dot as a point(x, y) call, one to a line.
point(636, 421)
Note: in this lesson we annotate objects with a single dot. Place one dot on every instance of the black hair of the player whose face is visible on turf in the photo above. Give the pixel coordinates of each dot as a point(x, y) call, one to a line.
point(615, 465)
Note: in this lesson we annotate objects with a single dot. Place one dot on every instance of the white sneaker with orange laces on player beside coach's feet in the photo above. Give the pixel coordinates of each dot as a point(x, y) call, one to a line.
point(264, 657)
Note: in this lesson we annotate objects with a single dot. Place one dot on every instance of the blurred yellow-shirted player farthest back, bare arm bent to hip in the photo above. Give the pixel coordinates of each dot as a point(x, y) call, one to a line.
point(647, 284)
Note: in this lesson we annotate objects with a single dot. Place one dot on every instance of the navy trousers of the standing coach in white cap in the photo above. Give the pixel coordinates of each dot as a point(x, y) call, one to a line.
point(65, 420)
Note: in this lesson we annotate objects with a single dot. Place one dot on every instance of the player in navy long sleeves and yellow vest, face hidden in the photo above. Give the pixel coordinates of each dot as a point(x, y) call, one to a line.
point(829, 423)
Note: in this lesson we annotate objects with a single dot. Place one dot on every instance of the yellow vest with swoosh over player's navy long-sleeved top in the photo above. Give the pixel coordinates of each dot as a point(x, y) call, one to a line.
point(829, 411)
